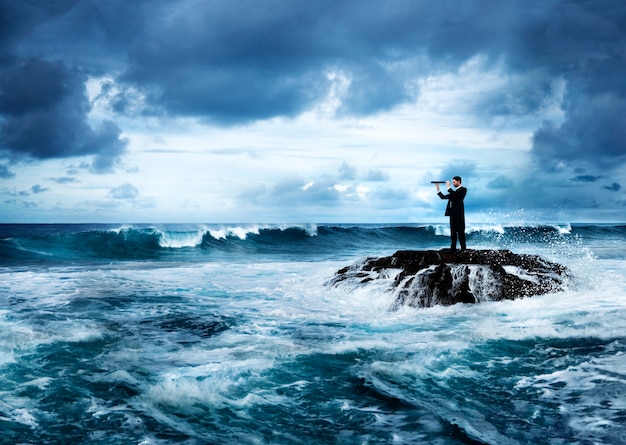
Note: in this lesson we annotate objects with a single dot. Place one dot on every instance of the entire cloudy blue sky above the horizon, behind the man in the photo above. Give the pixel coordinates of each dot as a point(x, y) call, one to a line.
point(299, 111)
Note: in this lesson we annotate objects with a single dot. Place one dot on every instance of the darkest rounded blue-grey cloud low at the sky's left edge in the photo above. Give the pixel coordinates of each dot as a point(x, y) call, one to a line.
point(43, 115)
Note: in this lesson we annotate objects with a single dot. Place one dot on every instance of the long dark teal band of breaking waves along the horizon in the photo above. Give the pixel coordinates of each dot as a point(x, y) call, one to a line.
point(67, 242)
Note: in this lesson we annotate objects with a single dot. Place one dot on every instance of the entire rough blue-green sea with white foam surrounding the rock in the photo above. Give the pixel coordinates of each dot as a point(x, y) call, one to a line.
point(231, 334)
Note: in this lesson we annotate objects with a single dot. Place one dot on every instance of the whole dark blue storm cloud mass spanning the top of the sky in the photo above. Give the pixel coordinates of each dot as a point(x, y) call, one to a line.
point(233, 62)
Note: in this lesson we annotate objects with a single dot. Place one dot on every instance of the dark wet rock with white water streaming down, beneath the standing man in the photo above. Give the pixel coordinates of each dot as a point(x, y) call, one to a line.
point(428, 278)
